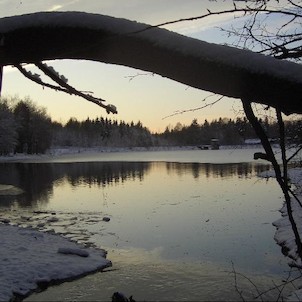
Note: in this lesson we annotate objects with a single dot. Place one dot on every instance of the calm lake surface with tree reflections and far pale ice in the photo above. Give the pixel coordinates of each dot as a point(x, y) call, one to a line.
point(178, 221)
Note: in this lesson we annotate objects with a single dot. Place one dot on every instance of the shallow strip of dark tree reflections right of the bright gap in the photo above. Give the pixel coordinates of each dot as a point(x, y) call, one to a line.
point(244, 170)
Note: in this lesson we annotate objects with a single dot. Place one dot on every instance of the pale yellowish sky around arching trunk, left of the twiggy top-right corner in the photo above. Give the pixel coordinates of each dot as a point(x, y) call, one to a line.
point(148, 98)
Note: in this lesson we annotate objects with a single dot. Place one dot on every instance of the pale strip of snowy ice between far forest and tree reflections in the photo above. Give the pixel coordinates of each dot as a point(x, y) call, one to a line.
point(188, 154)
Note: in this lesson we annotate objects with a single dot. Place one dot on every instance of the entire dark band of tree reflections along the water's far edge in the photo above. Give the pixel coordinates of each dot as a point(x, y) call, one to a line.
point(38, 179)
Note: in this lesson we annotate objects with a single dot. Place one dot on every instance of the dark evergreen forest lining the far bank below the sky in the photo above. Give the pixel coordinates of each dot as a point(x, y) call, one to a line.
point(27, 128)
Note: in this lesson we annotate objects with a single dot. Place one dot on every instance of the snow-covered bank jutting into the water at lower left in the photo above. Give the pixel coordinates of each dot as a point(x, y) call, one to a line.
point(30, 259)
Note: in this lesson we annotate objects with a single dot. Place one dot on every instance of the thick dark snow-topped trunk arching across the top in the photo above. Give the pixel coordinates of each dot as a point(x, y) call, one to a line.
point(220, 69)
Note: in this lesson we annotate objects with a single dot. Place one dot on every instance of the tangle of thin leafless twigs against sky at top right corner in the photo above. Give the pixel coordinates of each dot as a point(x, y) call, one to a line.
point(271, 27)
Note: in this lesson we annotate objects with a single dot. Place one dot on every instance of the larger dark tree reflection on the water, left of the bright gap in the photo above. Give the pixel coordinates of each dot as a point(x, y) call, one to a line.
point(37, 179)
